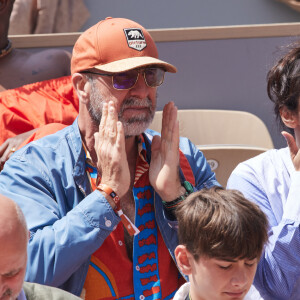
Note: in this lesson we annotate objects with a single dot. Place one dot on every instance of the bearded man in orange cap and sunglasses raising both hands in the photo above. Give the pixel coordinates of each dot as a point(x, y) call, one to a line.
point(99, 196)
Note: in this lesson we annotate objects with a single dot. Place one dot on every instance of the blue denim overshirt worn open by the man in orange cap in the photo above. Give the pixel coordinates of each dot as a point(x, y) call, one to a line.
point(67, 221)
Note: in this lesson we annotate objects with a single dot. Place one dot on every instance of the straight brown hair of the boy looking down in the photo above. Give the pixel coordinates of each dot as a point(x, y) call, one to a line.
point(223, 224)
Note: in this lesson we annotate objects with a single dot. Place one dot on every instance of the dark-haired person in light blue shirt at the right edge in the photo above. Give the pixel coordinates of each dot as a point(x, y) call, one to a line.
point(272, 180)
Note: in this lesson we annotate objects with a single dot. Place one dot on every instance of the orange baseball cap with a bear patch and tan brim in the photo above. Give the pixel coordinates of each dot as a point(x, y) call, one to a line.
point(116, 45)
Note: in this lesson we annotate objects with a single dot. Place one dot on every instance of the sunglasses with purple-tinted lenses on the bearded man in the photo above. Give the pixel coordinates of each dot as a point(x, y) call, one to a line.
point(126, 80)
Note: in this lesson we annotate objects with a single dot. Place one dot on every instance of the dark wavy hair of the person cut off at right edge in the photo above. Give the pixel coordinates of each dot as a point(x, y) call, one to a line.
point(284, 82)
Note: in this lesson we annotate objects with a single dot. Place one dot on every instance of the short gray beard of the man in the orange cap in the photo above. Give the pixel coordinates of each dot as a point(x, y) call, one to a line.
point(133, 126)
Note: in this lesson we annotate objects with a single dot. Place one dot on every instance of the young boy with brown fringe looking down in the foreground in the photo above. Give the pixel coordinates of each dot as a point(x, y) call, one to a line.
point(221, 237)
